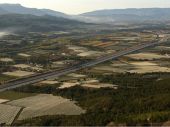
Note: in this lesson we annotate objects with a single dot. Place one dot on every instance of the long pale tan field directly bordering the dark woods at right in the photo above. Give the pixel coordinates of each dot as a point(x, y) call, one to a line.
point(131, 67)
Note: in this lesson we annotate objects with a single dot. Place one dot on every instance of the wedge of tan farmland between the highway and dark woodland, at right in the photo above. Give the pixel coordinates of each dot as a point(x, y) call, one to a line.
point(147, 61)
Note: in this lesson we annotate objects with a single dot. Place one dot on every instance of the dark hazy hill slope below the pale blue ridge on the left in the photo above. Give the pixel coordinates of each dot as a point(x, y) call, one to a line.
point(37, 23)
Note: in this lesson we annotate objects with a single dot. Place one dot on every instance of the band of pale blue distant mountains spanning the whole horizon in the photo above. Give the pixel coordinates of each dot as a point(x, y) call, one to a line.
point(100, 16)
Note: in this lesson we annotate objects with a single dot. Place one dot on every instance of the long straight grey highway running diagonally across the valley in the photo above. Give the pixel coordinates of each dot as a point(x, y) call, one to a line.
point(53, 74)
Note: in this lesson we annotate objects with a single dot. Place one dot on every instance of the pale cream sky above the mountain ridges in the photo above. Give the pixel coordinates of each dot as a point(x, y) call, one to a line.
point(81, 6)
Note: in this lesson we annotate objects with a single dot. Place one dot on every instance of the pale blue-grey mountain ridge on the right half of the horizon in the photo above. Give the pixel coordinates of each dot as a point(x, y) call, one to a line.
point(130, 15)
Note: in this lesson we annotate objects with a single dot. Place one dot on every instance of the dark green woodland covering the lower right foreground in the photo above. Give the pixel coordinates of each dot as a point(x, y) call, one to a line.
point(129, 93)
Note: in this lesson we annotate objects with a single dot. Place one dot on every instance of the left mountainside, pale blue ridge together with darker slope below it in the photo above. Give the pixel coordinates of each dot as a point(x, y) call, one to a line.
point(18, 18)
